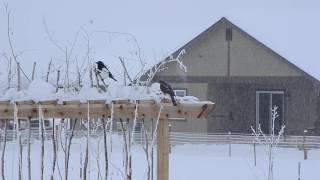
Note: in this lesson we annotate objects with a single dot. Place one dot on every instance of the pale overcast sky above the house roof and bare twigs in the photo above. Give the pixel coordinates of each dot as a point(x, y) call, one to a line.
point(290, 27)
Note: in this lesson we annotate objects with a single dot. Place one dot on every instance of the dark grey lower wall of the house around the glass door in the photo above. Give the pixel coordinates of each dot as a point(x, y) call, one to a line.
point(235, 98)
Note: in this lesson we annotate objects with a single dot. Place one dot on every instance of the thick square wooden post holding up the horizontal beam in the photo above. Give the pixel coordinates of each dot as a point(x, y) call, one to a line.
point(163, 150)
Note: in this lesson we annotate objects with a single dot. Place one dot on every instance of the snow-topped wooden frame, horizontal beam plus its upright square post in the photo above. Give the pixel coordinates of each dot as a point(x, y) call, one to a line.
point(122, 109)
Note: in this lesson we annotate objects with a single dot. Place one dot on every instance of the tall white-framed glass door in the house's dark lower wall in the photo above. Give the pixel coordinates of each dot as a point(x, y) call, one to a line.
point(265, 101)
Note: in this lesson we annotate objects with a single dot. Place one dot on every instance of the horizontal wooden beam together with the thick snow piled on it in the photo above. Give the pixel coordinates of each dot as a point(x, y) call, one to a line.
point(64, 104)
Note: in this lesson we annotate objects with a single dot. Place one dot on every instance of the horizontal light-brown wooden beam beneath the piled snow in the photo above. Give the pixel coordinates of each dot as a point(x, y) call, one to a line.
point(122, 109)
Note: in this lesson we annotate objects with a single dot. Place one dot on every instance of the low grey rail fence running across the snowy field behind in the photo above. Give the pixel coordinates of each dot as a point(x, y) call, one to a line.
point(179, 138)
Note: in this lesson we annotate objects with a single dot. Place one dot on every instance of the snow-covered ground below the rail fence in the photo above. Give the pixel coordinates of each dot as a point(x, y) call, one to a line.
point(187, 162)
